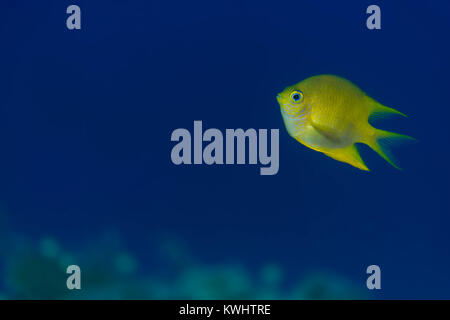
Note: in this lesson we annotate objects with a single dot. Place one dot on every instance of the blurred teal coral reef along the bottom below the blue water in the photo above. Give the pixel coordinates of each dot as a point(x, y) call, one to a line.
point(37, 270)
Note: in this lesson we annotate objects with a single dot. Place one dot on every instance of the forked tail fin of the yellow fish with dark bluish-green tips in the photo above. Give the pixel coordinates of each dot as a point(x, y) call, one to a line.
point(381, 141)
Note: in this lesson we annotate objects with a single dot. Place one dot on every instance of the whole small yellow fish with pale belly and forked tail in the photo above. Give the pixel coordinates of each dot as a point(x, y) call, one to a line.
point(330, 114)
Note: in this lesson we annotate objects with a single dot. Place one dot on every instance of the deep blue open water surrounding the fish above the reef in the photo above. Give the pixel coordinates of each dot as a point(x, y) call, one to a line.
point(86, 118)
